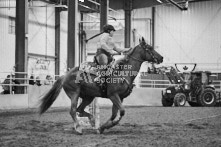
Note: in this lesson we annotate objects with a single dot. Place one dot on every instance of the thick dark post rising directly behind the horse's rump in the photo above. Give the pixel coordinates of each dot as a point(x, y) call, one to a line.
point(72, 34)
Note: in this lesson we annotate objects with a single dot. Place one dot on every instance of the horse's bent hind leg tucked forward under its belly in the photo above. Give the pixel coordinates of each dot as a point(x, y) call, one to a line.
point(85, 102)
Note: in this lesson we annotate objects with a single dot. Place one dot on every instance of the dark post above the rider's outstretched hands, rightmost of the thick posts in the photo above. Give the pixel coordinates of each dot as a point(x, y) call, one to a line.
point(127, 13)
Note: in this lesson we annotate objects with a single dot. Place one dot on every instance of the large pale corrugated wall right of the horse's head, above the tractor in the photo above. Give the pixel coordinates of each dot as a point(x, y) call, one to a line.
point(191, 36)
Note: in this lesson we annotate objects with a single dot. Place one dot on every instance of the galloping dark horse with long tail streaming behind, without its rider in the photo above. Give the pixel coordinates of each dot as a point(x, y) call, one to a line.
point(119, 85)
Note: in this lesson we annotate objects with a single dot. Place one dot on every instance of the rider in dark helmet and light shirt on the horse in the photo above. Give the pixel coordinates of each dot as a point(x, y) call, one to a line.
point(106, 47)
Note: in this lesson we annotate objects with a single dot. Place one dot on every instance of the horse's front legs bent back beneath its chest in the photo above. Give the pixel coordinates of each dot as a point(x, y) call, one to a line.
point(117, 105)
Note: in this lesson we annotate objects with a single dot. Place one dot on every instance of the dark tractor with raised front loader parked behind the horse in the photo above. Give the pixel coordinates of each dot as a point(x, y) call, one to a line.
point(193, 87)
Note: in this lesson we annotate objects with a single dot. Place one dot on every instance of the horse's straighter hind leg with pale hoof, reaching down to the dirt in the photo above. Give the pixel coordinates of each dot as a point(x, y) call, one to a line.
point(74, 96)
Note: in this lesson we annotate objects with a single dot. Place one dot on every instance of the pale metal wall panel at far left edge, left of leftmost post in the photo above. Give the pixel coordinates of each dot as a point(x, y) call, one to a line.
point(7, 40)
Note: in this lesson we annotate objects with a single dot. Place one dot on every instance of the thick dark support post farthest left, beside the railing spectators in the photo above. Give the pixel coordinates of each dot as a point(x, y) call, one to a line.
point(21, 43)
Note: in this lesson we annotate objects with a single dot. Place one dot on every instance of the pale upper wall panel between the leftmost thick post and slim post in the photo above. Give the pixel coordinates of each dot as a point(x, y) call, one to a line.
point(41, 29)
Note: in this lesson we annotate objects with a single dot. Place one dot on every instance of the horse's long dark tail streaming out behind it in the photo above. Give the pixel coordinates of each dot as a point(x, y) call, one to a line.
point(51, 96)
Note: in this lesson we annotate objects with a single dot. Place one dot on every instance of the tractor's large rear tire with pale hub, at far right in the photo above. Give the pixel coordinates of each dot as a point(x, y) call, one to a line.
point(207, 98)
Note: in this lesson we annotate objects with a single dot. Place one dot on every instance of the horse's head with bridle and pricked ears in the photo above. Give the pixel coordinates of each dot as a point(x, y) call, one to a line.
point(147, 53)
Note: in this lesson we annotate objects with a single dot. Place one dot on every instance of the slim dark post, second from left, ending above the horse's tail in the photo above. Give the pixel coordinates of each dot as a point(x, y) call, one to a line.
point(57, 41)
